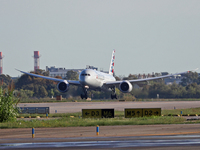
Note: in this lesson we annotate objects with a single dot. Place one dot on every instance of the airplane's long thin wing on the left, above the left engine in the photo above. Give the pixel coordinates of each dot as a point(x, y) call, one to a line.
point(72, 82)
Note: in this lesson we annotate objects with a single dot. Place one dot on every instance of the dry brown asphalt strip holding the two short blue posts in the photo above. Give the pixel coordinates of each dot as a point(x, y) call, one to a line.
point(105, 131)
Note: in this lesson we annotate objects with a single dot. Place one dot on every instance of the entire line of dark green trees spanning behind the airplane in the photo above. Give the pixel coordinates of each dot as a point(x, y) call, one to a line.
point(32, 87)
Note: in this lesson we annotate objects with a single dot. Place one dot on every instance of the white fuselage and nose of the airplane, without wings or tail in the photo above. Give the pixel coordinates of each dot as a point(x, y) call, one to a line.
point(94, 80)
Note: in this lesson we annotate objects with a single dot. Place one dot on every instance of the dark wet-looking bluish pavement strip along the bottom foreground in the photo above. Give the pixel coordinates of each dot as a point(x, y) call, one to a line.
point(144, 142)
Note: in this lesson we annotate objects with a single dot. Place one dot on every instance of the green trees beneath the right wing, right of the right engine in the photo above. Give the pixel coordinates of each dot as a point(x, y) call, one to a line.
point(188, 88)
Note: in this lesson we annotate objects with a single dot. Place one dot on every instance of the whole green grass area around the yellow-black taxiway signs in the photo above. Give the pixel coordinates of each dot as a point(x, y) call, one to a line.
point(75, 119)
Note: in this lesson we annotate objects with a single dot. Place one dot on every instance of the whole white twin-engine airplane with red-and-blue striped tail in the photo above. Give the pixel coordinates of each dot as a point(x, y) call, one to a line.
point(90, 79)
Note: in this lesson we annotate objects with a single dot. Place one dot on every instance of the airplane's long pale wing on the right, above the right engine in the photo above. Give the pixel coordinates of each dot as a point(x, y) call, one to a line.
point(146, 79)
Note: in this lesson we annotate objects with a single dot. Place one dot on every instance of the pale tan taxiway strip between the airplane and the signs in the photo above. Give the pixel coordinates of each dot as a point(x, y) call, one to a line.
point(66, 107)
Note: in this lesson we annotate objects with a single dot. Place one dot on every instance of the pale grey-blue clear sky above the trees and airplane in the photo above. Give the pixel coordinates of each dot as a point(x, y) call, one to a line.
point(148, 36)
